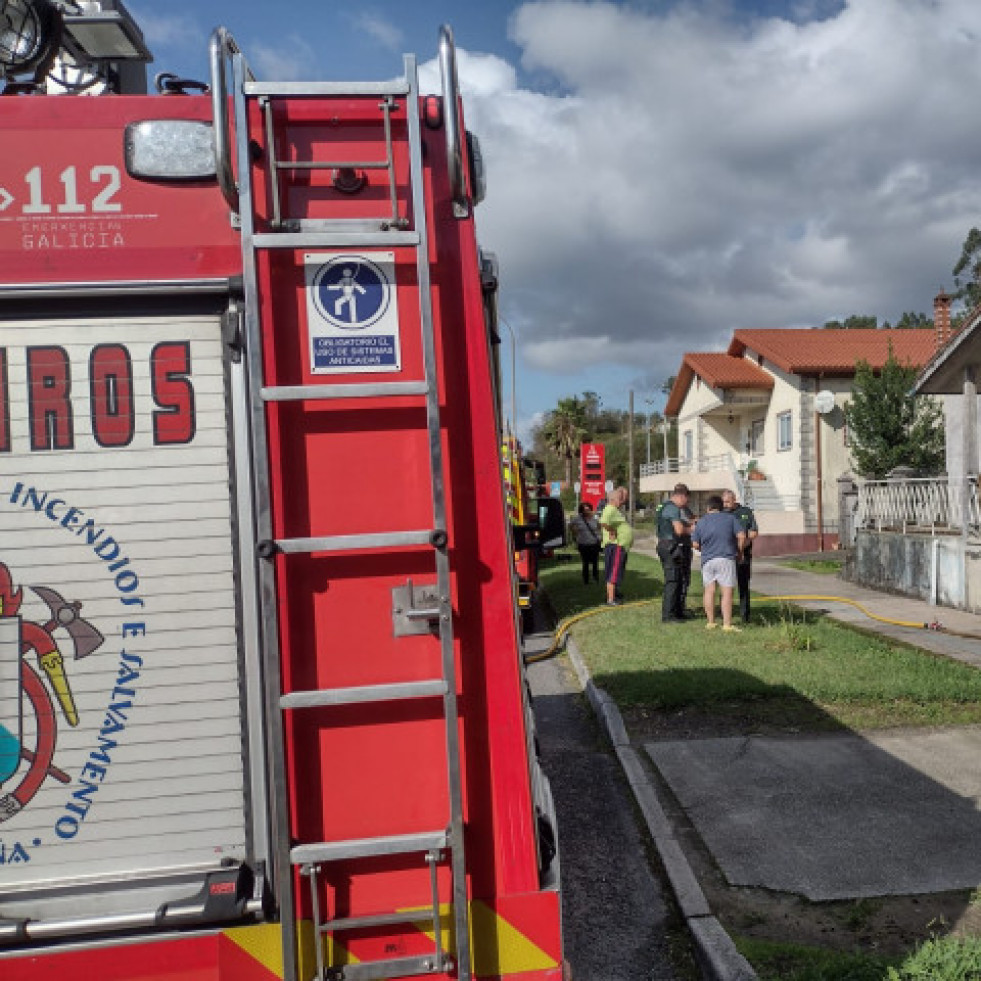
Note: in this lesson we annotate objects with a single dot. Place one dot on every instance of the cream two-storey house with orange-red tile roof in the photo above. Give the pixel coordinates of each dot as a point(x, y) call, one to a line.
point(770, 407)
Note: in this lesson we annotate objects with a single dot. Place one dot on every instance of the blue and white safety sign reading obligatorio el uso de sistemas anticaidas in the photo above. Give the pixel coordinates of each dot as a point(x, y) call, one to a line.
point(352, 312)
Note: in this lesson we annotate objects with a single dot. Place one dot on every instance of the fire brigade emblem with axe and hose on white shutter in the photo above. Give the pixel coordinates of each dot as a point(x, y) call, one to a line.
point(33, 673)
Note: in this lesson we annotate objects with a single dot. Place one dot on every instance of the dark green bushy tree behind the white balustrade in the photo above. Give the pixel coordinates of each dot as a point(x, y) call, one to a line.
point(891, 427)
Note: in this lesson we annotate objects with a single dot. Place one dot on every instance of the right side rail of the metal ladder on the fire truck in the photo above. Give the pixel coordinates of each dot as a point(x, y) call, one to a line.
point(451, 712)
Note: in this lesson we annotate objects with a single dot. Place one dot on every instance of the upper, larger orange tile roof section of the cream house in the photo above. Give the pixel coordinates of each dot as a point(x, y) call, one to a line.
point(833, 351)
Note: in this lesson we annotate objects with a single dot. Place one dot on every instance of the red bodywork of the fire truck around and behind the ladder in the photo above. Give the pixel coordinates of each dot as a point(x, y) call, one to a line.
point(70, 215)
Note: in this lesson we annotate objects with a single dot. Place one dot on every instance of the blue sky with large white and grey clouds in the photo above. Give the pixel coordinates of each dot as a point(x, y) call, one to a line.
point(663, 172)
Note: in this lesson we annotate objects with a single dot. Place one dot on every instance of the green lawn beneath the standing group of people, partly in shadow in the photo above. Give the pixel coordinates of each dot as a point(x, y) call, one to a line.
point(789, 668)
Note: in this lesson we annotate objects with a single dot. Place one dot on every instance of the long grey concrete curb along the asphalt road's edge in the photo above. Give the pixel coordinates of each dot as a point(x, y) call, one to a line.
point(717, 955)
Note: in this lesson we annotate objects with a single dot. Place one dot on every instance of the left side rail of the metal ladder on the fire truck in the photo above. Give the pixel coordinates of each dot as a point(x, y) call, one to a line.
point(282, 872)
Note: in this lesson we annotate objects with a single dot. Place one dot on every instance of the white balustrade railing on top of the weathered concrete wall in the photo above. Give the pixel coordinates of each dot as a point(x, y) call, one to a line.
point(934, 504)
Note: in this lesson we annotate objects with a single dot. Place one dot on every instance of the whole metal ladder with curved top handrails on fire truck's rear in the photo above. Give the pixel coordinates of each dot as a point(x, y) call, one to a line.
point(393, 231)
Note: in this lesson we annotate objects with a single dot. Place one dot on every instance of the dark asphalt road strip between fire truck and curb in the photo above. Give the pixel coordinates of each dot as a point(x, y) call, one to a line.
point(618, 924)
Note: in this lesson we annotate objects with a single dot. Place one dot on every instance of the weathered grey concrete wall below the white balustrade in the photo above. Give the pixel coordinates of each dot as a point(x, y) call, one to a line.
point(943, 569)
